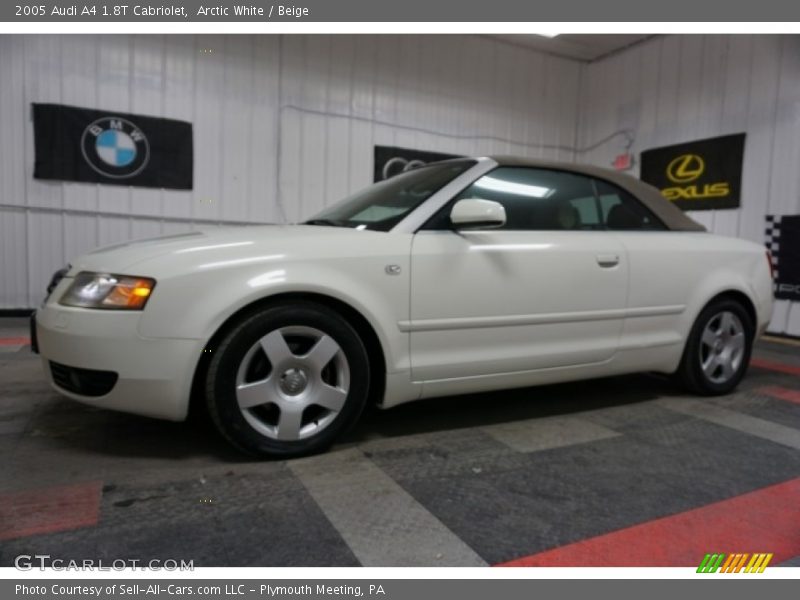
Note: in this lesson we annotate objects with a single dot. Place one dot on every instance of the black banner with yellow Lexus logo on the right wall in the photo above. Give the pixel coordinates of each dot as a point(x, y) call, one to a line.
point(701, 175)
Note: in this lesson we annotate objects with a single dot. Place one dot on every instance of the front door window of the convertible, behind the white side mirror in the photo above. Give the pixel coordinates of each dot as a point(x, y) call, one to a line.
point(534, 199)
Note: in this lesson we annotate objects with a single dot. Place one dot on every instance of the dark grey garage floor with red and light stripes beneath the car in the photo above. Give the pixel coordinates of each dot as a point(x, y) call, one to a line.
point(622, 471)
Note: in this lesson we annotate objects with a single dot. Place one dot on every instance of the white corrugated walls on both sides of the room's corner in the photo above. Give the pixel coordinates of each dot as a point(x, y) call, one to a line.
point(286, 124)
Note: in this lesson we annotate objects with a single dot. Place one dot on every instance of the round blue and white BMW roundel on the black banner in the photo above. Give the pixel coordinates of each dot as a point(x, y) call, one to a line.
point(115, 147)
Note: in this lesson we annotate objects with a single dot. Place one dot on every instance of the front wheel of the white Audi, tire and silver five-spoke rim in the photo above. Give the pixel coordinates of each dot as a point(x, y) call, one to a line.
point(287, 380)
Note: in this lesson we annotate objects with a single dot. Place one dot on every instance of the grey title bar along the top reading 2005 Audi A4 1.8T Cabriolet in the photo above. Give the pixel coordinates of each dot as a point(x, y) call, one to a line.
point(463, 11)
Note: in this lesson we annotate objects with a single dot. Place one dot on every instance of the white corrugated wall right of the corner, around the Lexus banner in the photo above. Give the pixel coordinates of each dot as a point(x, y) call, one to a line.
point(682, 88)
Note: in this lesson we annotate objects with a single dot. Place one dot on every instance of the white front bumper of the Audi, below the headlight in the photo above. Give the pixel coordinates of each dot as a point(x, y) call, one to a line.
point(154, 375)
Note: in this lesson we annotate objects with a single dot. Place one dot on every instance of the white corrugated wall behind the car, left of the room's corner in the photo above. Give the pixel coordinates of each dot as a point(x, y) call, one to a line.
point(283, 126)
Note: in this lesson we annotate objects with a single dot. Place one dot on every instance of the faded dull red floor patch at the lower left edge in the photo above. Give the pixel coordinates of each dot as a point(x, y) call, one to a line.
point(49, 510)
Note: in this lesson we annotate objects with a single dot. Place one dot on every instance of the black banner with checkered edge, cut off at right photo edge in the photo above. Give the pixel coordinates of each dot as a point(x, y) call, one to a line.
point(782, 239)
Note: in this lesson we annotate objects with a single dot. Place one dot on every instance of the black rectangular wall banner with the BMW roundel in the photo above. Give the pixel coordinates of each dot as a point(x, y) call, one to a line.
point(96, 146)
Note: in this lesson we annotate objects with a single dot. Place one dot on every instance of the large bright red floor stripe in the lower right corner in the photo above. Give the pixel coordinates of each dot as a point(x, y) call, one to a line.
point(766, 520)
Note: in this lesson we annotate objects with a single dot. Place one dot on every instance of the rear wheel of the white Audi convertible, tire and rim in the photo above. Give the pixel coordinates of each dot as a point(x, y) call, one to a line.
point(718, 350)
